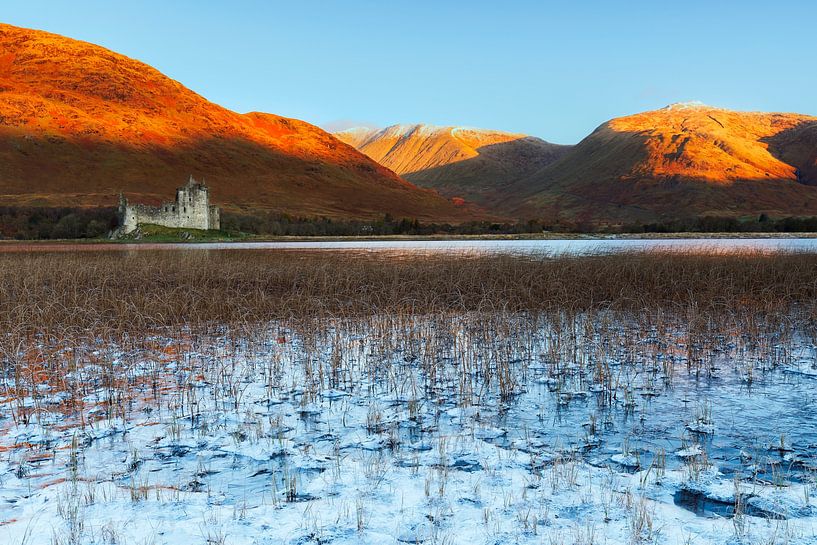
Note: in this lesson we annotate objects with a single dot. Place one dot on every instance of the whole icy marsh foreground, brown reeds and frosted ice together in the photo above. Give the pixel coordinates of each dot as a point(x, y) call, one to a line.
point(303, 398)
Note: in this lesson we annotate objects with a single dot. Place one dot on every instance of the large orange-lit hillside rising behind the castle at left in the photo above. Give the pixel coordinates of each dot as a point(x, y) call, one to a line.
point(80, 123)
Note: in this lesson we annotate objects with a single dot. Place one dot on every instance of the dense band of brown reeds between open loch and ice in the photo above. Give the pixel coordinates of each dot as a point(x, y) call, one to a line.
point(113, 292)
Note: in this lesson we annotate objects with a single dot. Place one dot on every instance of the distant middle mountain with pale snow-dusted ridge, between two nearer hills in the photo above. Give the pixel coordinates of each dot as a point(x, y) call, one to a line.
point(475, 164)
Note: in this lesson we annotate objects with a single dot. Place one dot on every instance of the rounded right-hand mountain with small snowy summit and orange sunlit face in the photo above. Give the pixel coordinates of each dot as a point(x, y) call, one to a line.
point(682, 161)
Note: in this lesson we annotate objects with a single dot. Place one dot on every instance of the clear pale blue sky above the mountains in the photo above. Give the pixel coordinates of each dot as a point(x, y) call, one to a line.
point(551, 69)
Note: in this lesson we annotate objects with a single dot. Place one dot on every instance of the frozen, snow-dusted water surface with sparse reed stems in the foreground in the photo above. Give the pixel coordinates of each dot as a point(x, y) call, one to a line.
point(402, 432)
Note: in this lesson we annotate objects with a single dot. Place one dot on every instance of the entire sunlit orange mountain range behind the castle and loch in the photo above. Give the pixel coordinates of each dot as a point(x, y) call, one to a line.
point(80, 123)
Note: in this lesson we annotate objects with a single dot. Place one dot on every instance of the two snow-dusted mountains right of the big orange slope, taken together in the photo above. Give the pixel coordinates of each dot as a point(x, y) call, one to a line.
point(681, 161)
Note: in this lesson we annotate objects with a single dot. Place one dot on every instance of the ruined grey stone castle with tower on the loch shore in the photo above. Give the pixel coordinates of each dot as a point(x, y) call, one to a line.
point(192, 210)
